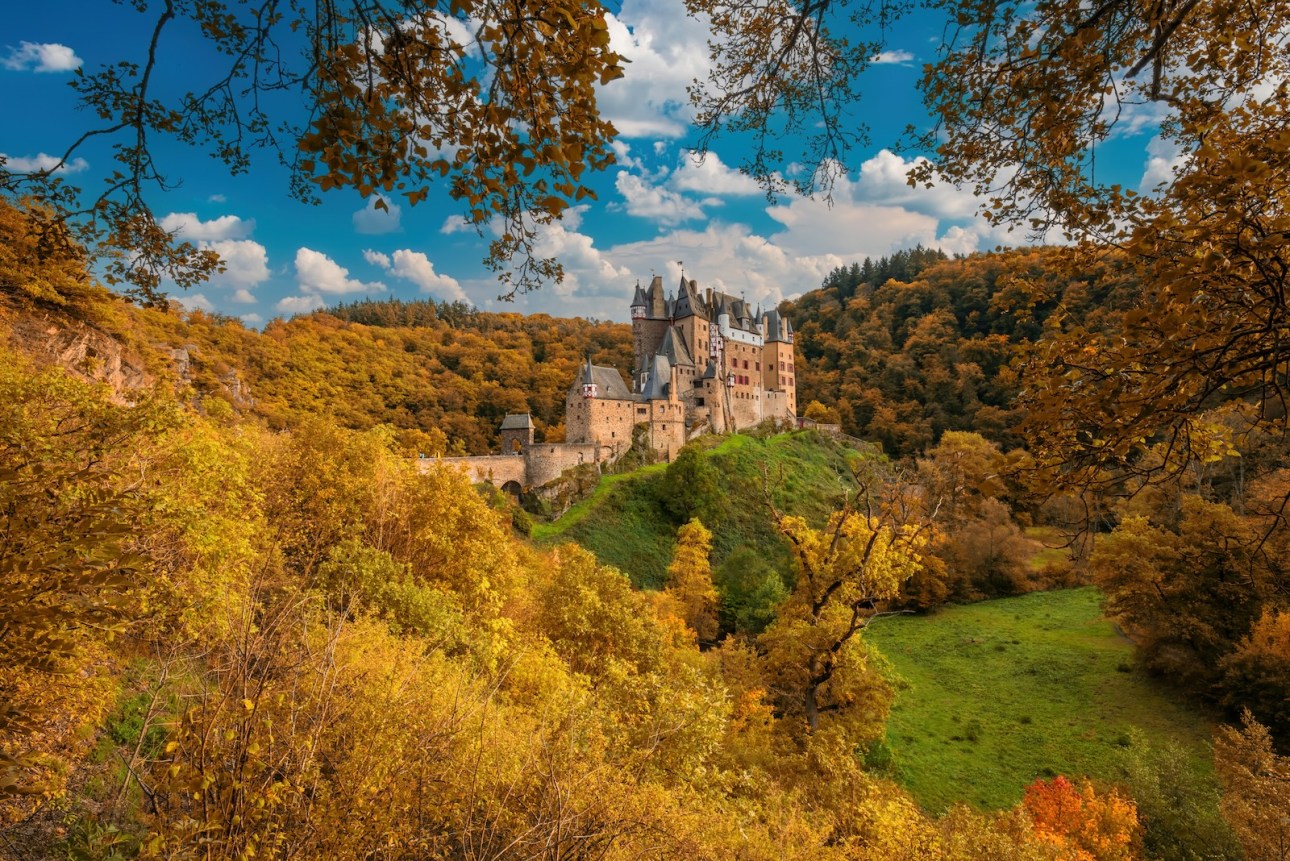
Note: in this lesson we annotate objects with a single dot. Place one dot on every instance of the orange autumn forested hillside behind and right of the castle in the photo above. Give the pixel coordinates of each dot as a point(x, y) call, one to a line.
point(914, 345)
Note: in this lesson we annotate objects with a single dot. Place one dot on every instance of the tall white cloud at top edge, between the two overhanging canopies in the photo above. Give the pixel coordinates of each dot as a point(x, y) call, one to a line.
point(668, 50)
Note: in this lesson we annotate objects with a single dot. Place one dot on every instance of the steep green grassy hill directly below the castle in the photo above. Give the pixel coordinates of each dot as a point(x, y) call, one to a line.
point(628, 522)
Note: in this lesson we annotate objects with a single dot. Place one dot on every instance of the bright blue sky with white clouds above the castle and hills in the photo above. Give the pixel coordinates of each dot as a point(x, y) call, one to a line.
point(655, 208)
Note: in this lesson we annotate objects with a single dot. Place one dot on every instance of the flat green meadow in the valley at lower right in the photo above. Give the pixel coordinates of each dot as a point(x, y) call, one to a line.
point(994, 695)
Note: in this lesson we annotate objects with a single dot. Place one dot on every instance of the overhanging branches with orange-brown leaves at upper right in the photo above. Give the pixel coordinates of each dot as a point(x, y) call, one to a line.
point(1024, 95)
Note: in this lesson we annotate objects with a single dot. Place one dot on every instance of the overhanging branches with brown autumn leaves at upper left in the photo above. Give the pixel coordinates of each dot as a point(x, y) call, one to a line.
point(496, 100)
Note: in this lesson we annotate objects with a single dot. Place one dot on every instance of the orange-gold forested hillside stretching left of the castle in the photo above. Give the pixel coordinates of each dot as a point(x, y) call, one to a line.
point(443, 376)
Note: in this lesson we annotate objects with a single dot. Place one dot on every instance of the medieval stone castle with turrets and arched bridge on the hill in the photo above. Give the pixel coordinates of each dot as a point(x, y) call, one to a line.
point(704, 363)
